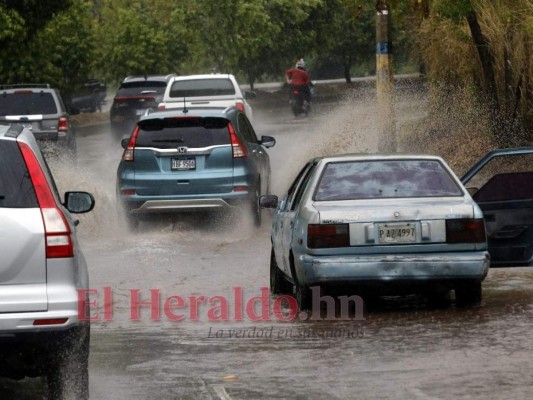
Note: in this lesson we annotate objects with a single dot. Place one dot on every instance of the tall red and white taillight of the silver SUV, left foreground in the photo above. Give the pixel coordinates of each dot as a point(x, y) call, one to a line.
point(56, 228)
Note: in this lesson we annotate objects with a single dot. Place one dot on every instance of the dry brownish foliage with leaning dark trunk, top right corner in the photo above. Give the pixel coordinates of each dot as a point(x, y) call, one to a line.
point(487, 44)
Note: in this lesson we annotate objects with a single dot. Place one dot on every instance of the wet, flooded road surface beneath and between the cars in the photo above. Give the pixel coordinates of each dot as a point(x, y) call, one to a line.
point(403, 349)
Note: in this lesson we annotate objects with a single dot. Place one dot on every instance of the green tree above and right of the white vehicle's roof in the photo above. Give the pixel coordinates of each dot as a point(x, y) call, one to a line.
point(254, 37)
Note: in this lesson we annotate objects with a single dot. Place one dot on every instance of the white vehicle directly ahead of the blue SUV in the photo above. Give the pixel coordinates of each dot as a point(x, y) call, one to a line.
point(206, 91)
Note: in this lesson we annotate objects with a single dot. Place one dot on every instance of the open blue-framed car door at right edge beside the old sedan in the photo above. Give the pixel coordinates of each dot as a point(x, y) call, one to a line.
point(501, 183)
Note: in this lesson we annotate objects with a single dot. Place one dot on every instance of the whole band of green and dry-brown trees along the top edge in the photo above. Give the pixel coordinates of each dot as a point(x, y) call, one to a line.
point(63, 42)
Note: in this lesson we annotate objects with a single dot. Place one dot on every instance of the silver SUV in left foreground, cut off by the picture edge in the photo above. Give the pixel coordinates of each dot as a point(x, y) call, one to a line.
point(41, 271)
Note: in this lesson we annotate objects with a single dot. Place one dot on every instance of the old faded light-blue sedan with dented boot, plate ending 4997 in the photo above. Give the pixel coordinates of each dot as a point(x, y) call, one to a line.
point(385, 222)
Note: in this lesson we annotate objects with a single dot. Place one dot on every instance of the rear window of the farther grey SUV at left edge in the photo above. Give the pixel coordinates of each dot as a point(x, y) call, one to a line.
point(26, 102)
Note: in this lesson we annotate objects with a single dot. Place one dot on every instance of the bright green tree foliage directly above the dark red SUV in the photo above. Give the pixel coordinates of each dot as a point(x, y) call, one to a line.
point(141, 37)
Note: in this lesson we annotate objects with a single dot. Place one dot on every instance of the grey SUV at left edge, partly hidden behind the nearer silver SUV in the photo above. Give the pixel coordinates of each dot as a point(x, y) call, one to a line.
point(39, 108)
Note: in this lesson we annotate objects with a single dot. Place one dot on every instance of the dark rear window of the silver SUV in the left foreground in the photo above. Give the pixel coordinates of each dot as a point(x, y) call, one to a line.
point(16, 188)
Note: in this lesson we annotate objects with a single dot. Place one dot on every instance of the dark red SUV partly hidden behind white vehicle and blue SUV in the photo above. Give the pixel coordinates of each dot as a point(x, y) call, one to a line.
point(135, 95)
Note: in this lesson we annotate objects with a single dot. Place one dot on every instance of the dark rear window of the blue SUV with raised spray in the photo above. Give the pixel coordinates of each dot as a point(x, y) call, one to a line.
point(171, 133)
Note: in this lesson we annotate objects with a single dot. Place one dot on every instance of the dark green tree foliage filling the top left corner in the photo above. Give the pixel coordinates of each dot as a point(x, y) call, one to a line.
point(46, 43)
